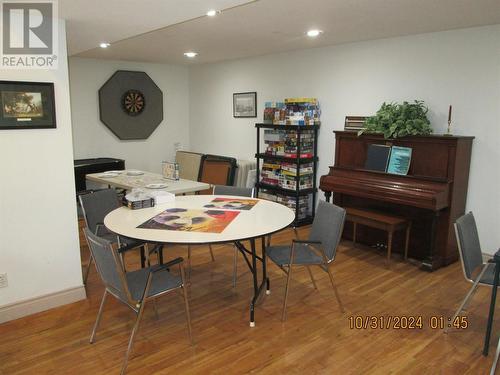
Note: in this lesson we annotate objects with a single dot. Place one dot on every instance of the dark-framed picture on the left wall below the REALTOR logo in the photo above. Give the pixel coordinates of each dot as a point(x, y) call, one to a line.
point(27, 105)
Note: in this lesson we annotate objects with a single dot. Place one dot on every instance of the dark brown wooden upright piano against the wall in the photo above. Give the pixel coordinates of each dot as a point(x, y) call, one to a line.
point(432, 195)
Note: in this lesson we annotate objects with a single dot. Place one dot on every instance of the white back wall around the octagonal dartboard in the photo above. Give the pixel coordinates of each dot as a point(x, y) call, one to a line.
point(91, 138)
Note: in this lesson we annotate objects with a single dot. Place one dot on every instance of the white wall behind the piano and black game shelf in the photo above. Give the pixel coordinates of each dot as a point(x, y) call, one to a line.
point(459, 67)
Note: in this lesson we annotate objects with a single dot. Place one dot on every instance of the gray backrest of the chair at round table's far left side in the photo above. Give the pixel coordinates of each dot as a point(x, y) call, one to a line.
point(97, 205)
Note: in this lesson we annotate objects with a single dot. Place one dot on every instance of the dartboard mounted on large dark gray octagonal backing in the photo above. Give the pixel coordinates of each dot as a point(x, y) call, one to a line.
point(130, 105)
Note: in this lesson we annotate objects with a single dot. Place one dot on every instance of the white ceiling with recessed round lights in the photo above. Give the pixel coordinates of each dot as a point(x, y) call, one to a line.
point(259, 27)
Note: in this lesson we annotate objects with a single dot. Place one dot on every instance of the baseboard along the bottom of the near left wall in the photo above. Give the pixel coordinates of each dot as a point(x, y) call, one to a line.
point(31, 306)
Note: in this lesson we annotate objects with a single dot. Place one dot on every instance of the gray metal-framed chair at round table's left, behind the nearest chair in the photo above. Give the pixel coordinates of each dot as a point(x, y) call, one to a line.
point(95, 206)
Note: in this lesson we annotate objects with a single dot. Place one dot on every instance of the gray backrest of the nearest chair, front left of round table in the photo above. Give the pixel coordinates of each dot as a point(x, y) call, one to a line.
point(108, 264)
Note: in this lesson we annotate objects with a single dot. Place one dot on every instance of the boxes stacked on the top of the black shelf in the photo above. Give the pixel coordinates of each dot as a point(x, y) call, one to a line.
point(293, 111)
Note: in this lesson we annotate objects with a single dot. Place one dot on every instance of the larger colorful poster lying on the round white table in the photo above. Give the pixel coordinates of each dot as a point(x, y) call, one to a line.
point(189, 220)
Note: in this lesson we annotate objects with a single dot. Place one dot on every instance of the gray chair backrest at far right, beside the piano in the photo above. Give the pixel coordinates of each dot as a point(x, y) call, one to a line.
point(468, 244)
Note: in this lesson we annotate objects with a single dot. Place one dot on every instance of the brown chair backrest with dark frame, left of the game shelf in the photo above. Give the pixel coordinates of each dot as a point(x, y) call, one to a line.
point(217, 170)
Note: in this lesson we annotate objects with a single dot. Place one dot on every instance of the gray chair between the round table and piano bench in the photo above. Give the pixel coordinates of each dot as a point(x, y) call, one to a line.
point(318, 250)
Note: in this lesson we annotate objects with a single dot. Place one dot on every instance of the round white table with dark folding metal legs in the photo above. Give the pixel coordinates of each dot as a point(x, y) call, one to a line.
point(263, 219)
